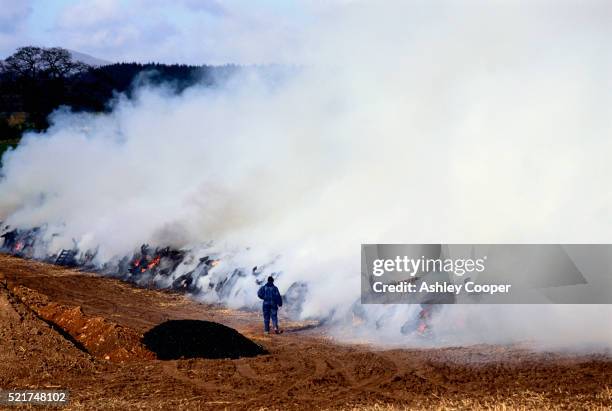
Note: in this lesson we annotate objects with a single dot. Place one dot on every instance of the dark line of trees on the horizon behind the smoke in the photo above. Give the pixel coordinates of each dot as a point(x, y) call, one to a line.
point(34, 81)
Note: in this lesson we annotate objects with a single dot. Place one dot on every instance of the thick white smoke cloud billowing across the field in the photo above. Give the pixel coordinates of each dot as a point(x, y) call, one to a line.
point(407, 123)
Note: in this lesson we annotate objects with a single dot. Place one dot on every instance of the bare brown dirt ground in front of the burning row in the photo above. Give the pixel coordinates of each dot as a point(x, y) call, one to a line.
point(61, 328)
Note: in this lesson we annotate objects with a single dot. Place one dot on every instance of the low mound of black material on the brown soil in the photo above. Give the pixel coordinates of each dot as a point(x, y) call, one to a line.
point(176, 339)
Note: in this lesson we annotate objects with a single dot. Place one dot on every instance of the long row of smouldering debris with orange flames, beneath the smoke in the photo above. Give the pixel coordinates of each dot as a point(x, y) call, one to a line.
point(197, 273)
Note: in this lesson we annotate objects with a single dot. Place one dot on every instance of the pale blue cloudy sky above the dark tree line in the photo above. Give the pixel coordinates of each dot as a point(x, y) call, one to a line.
point(186, 31)
